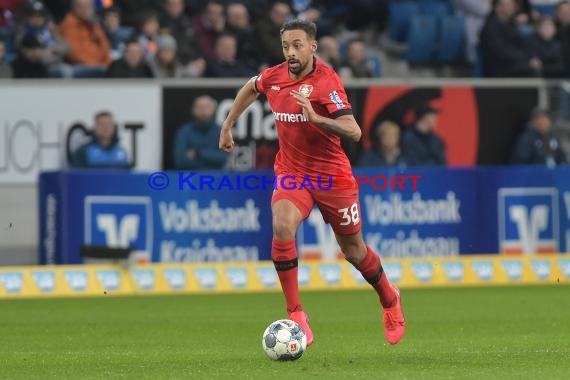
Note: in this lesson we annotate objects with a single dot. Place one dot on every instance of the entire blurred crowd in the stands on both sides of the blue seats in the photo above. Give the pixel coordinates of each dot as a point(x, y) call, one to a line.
point(238, 38)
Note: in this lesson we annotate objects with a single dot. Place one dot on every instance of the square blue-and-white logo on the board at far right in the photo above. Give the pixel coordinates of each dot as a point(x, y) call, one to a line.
point(528, 220)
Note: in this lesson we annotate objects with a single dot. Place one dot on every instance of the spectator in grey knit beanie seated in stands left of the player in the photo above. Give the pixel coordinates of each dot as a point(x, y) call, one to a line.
point(166, 63)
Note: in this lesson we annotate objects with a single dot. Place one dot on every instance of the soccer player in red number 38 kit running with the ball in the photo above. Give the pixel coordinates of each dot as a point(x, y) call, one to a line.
point(312, 113)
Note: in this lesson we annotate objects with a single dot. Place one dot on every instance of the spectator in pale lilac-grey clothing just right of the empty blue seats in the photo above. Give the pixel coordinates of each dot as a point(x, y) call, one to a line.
point(474, 12)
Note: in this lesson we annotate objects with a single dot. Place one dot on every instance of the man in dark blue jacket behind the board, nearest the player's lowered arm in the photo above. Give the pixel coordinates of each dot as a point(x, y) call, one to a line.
point(196, 142)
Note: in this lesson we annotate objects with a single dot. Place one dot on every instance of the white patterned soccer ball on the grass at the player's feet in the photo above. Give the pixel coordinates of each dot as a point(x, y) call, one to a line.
point(284, 340)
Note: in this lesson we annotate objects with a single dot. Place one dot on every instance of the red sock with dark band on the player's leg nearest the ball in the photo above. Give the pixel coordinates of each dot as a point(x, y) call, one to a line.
point(284, 255)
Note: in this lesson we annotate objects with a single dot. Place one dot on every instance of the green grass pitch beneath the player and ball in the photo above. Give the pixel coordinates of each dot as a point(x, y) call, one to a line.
point(468, 333)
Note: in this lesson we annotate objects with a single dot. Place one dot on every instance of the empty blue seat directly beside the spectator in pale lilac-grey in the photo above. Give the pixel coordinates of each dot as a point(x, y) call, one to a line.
point(451, 41)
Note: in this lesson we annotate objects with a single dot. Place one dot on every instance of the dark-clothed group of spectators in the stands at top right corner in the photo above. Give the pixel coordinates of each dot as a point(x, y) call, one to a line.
point(517, 40)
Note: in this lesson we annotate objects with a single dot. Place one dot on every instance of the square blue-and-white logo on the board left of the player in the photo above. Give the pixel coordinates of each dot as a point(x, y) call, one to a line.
point(119, 222)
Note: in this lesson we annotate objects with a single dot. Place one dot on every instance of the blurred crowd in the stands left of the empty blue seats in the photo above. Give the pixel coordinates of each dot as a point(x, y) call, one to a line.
point(169, 38)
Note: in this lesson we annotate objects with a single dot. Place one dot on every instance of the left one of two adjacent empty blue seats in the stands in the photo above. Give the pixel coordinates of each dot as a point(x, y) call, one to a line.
point(422, 40)
